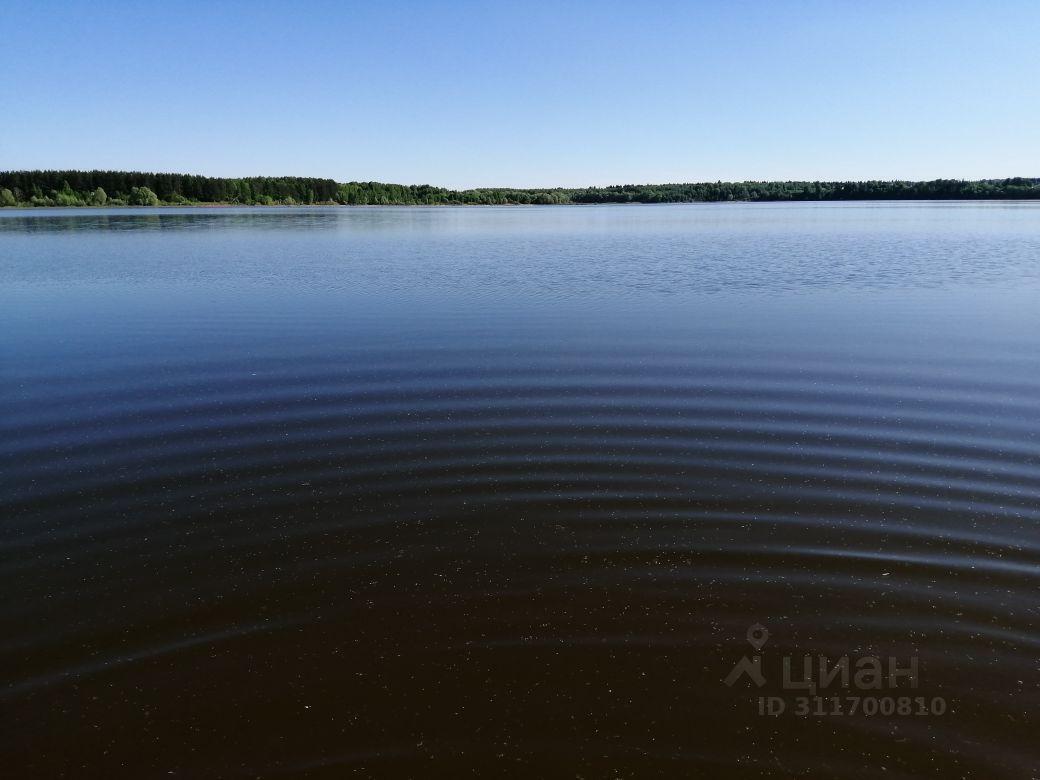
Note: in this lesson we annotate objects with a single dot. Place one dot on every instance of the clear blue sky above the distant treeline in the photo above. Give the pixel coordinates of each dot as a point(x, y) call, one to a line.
point(525, 94)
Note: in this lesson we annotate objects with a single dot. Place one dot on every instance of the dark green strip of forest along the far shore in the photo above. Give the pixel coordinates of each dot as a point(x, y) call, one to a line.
point(135, 189)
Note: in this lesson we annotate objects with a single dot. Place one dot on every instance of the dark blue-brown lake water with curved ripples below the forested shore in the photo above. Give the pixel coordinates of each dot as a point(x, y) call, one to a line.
point(435, 492)
